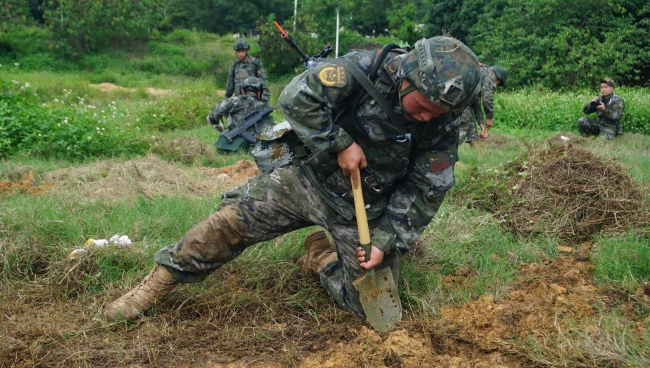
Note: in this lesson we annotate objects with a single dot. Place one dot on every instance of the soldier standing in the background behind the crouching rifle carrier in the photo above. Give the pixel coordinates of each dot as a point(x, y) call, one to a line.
point(245, 66)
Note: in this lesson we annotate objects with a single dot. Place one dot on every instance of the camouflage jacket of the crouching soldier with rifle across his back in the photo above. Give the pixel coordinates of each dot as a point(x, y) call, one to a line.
point(235, 108)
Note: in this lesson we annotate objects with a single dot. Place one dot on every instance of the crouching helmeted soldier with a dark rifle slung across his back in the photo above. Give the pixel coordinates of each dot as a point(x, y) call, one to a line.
point(245, 115)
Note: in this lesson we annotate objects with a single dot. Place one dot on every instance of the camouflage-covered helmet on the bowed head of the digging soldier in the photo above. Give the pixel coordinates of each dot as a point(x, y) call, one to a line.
point(444, 70)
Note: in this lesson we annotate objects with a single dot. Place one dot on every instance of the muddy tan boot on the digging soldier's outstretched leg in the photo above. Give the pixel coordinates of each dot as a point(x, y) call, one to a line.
point(158, 283)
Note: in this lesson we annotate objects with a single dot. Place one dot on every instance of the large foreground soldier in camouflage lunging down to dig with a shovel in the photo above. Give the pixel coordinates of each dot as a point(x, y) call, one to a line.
point(399, 127)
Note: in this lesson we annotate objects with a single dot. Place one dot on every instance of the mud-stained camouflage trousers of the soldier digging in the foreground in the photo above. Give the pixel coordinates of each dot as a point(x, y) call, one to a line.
point(268, 206)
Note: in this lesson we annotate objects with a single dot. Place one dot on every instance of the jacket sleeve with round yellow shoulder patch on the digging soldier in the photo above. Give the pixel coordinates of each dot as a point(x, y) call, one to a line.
point(307, 105)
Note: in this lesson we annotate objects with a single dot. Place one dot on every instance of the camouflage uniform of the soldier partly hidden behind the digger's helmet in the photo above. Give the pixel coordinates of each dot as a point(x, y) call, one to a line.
point(474, 114)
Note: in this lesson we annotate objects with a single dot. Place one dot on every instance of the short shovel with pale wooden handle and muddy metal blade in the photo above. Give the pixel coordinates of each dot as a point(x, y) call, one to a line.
point(377, 288)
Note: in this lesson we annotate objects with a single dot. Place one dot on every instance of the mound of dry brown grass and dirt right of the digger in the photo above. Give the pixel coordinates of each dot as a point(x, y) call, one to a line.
point(562, 189)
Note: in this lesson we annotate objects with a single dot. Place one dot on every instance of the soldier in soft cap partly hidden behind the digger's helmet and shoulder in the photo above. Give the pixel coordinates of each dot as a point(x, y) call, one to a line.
point(492, 77)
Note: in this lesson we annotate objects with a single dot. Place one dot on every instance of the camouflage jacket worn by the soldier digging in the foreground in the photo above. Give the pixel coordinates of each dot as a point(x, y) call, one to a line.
point(405, 181)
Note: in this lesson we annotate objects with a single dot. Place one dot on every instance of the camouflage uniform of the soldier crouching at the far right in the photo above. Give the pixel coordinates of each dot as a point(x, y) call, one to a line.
point(609, 120)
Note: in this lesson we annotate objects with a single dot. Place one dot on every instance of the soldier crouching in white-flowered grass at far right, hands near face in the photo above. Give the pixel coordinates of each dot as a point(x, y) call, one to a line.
point(609, 108)
